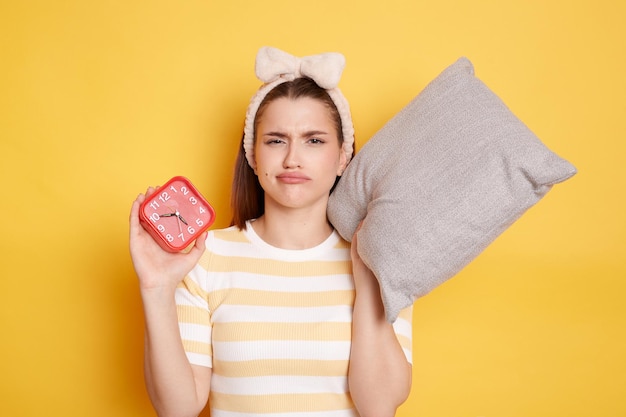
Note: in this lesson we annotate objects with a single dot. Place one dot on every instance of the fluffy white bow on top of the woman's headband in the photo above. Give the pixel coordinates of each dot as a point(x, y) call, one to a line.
point(325, 69)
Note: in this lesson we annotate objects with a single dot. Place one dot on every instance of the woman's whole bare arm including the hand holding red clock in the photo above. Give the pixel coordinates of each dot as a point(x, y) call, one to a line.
point(175, 387)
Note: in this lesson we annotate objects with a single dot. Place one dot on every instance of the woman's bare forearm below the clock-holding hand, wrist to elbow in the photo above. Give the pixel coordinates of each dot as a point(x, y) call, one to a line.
point(170, 380)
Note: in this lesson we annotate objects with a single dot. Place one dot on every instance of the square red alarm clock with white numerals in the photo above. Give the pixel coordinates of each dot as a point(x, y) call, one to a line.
point(175, 214)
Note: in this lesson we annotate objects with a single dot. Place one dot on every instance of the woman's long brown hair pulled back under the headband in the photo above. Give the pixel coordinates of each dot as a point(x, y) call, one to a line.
point(248, 198)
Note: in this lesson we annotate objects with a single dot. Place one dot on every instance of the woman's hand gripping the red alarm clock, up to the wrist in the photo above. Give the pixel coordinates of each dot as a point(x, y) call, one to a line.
point(156, 268)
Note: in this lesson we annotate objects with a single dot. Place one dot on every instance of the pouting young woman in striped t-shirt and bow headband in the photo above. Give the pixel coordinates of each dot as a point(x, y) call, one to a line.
point(276, 315)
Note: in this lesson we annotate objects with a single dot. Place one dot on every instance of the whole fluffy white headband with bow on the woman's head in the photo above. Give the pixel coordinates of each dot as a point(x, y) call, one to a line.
point(275, 67)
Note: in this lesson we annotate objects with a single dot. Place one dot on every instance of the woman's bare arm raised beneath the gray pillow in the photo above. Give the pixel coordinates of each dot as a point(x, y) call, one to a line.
point(379, 375)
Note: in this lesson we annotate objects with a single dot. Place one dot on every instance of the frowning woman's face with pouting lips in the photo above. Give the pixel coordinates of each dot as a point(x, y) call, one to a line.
point(298, 155)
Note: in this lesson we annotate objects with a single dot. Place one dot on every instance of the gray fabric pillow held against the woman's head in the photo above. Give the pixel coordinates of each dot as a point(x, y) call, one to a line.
point(438, 183)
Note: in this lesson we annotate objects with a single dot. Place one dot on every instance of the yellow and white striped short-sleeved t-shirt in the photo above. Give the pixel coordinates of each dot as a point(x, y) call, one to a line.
point(274, 324)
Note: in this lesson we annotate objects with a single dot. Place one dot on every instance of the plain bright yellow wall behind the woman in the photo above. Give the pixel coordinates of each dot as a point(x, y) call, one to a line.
point(100, 99)
